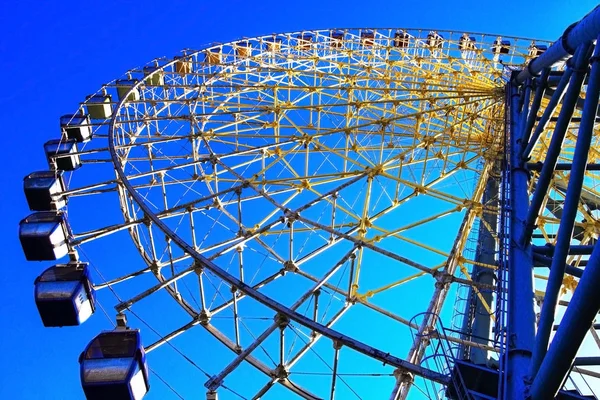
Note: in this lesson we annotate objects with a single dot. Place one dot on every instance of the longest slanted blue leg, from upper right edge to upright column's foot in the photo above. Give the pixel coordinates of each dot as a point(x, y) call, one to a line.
point(567, 223)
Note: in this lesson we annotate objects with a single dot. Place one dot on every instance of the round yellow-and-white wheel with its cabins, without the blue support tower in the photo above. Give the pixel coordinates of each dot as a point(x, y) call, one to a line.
point(292, 213)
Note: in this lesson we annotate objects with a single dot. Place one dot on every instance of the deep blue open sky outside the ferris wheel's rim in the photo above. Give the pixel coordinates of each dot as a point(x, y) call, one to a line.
point(54, 53)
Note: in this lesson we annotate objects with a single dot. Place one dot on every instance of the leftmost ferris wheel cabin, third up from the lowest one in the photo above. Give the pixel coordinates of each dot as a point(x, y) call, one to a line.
point(44, 236)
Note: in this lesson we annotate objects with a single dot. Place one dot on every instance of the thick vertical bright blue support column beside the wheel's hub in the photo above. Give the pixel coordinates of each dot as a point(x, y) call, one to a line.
point(521, 315)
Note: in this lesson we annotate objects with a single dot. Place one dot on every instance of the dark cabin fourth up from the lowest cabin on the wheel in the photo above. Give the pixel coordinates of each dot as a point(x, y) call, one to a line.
point(43, 190)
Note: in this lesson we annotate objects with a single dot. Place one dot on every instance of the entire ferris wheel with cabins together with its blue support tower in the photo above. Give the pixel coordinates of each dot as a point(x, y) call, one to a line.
point(305, 203)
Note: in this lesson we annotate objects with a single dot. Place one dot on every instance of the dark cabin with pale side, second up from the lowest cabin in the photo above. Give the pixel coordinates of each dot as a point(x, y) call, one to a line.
point(64, 295)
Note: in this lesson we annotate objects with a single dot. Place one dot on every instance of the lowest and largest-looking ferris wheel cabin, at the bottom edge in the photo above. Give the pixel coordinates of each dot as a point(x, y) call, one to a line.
point(113, 366)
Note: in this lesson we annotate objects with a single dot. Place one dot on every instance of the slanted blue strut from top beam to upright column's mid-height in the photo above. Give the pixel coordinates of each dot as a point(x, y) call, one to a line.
point(564, 118)
